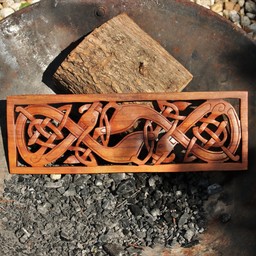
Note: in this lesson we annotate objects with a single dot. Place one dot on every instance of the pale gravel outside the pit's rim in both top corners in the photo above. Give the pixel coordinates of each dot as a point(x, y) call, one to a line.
point(240, 12)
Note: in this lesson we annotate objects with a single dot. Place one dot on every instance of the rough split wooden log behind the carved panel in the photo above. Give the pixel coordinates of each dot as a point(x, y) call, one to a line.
point(120, 57)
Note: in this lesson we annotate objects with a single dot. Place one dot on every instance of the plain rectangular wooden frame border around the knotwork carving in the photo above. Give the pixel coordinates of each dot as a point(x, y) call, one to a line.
point(12, 101)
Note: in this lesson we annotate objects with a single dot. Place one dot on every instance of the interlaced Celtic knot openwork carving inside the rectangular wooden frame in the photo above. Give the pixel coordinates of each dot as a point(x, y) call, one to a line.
point(111, 132)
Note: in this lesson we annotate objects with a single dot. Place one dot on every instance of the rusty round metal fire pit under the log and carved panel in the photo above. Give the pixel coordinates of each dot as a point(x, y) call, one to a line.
point(220, 56)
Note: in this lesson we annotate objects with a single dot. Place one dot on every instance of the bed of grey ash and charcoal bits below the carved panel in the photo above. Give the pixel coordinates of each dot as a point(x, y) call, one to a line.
point(101, 214)
